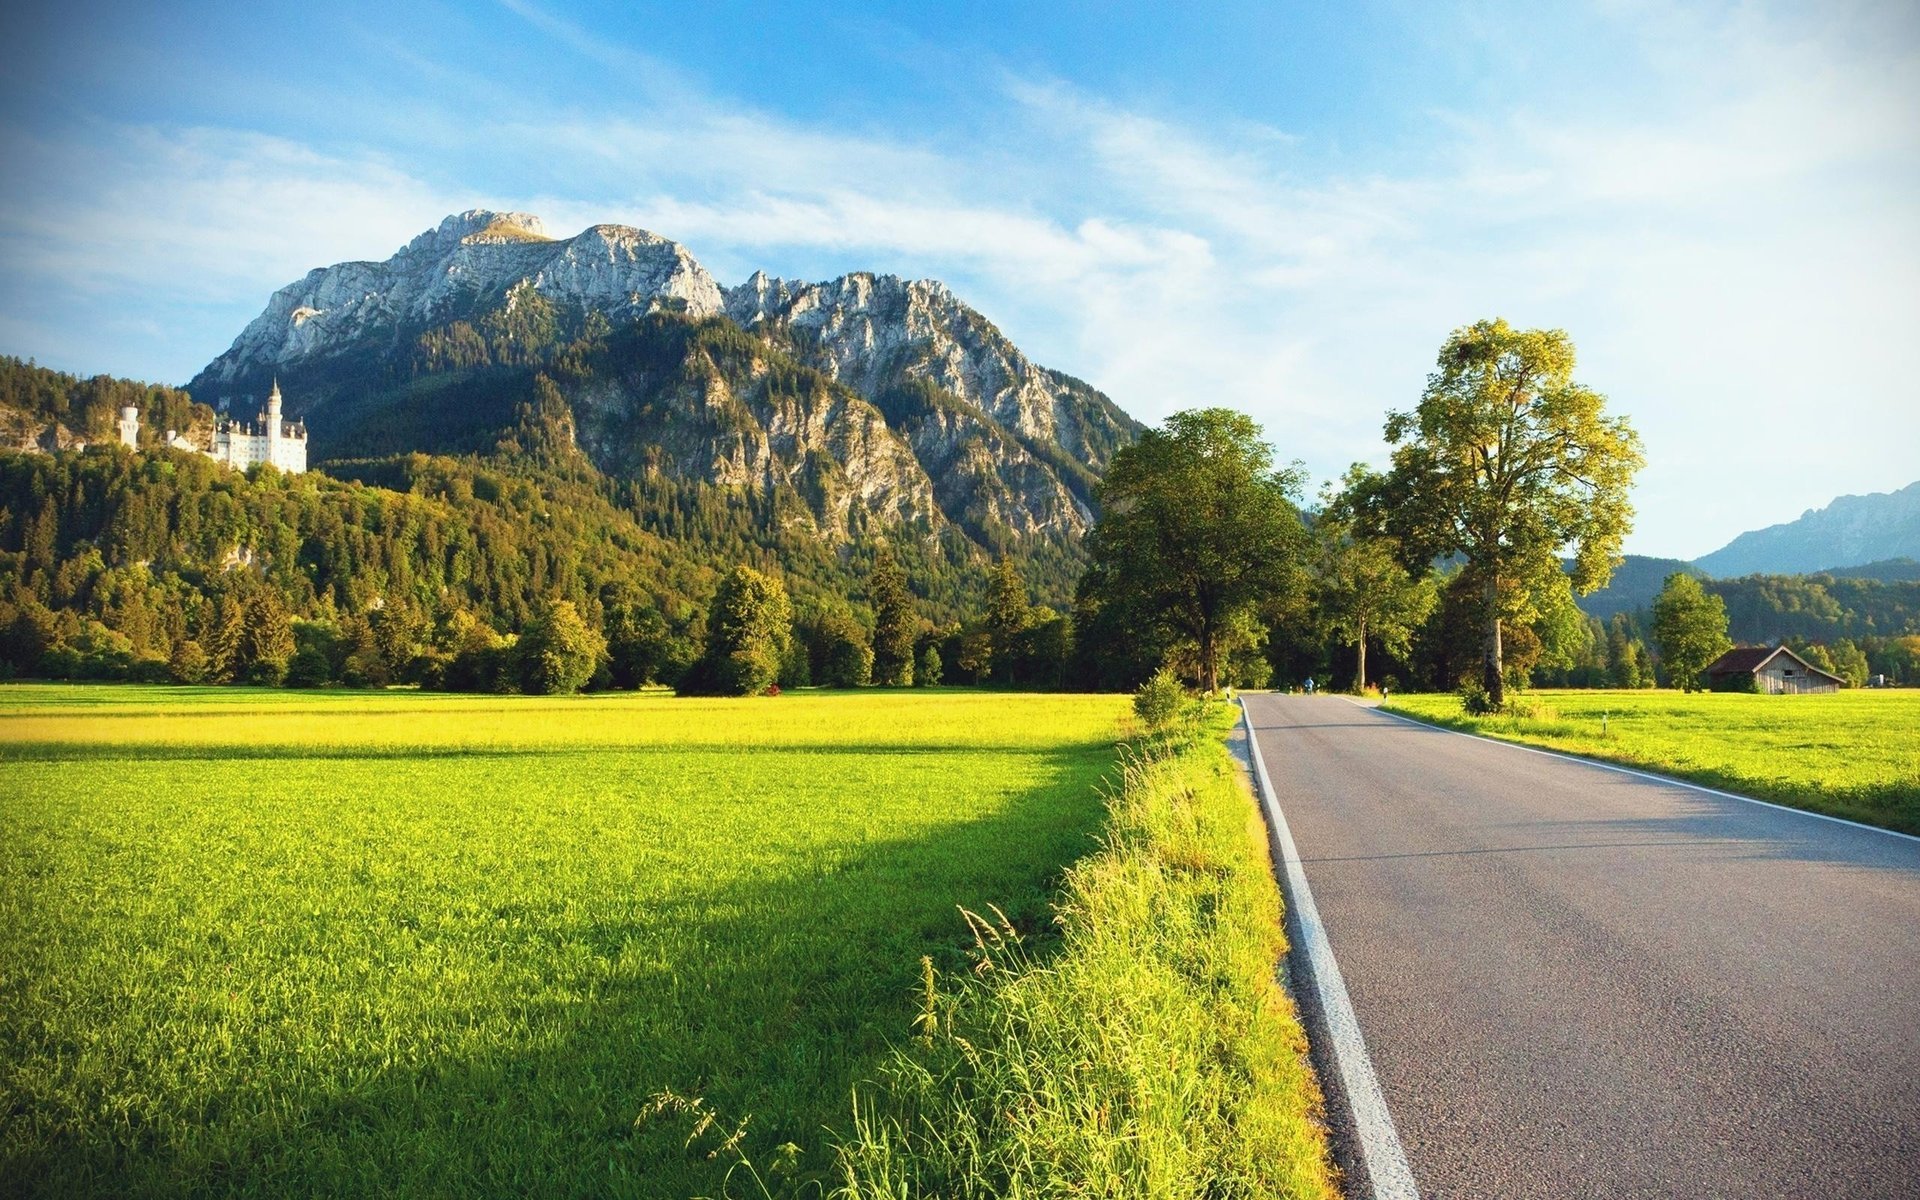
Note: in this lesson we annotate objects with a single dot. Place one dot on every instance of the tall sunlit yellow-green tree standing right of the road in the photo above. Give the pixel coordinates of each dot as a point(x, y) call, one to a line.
point(1510, 464)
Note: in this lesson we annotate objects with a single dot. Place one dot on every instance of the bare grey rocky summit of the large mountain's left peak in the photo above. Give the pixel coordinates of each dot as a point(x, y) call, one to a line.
point(469, 262)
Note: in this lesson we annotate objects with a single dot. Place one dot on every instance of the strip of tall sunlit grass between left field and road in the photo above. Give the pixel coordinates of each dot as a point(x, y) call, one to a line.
point(1153, 1053)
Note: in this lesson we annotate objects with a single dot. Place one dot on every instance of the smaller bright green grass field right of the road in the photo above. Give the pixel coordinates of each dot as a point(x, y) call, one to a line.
point(1852, 754)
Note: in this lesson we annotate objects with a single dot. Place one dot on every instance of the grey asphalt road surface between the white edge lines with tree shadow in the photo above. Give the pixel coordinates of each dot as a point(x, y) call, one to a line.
point(1581, 984)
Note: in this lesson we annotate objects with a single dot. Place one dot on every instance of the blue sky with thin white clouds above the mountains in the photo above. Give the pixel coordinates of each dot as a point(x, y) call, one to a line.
point(1272, 206)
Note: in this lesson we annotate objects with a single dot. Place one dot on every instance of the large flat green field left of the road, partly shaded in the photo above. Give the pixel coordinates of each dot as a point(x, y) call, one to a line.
point(345, 944)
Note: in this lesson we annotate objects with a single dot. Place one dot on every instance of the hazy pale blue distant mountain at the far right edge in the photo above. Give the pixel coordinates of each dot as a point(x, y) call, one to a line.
point(1848, 533)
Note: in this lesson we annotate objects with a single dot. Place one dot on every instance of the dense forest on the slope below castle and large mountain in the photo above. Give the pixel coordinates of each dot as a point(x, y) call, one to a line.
point(514, 573)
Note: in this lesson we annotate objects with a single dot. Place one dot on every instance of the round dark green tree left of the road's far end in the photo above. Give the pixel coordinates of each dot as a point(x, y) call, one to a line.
point(1197, 531)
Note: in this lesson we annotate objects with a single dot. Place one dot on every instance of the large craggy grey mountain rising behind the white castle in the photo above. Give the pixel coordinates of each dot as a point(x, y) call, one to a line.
point(850, 404)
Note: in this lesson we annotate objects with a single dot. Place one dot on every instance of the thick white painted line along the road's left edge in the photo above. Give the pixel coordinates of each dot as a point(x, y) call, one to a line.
point(1381, 1153)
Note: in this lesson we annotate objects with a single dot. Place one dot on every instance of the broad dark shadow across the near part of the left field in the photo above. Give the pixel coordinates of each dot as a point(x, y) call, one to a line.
point(767, 999)
